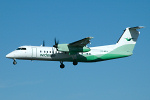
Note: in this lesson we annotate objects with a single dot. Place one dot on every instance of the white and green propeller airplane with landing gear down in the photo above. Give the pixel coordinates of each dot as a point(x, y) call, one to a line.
point(79, 51)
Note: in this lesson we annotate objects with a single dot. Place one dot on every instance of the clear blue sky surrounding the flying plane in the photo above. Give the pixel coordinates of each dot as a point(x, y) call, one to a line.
point(29, 22)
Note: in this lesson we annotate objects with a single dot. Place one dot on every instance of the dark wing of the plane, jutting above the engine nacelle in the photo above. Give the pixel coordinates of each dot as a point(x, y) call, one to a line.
point(82, 42)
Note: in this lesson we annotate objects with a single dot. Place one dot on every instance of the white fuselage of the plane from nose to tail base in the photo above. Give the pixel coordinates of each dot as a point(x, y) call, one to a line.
point(51, 54)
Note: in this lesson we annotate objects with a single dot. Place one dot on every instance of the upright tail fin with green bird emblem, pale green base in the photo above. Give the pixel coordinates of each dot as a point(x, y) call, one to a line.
point(128, 40)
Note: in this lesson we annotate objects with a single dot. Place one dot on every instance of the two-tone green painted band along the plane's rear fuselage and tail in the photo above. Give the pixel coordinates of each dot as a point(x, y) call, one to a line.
point(119, 52)
